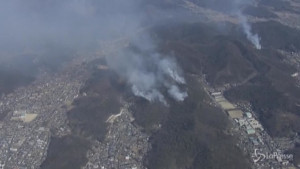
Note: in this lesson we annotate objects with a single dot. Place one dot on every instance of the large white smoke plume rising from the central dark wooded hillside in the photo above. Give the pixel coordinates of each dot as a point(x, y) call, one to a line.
point(148, 72)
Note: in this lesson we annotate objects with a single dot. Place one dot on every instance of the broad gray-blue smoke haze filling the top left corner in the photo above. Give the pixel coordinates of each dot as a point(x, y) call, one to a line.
point(77, 24)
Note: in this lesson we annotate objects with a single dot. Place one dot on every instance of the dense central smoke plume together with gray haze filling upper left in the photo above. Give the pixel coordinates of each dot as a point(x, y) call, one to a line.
point(82, 25)
